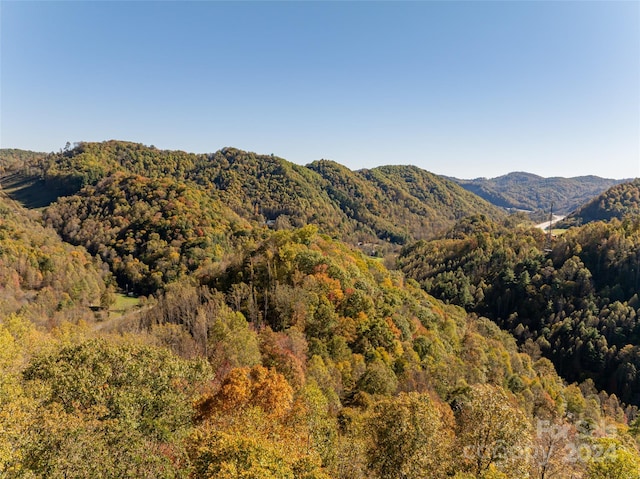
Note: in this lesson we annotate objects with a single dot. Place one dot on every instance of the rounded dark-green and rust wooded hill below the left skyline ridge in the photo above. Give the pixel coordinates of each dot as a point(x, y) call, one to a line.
point(150, 231)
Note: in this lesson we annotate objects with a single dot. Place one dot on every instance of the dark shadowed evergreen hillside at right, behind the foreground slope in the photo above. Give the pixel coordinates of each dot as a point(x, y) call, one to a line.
point(578, 304)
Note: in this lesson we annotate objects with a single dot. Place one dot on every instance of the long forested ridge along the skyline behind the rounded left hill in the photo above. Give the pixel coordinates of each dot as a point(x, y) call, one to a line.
point(393, 204)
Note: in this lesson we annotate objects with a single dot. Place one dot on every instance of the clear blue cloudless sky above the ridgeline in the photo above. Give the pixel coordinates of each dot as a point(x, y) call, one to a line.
point(465, 89)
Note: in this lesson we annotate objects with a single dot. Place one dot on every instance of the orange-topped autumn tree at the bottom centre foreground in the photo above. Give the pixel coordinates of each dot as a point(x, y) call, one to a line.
point(252, 427)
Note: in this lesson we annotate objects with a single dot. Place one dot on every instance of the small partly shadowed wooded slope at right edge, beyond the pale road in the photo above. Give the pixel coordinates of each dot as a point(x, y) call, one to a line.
point(617, 202)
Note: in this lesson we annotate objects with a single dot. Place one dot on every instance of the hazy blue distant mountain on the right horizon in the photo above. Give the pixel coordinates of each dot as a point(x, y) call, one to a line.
point(531, 192)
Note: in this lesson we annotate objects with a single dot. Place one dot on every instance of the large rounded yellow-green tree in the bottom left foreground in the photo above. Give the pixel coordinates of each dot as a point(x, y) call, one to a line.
point(110, 411)
